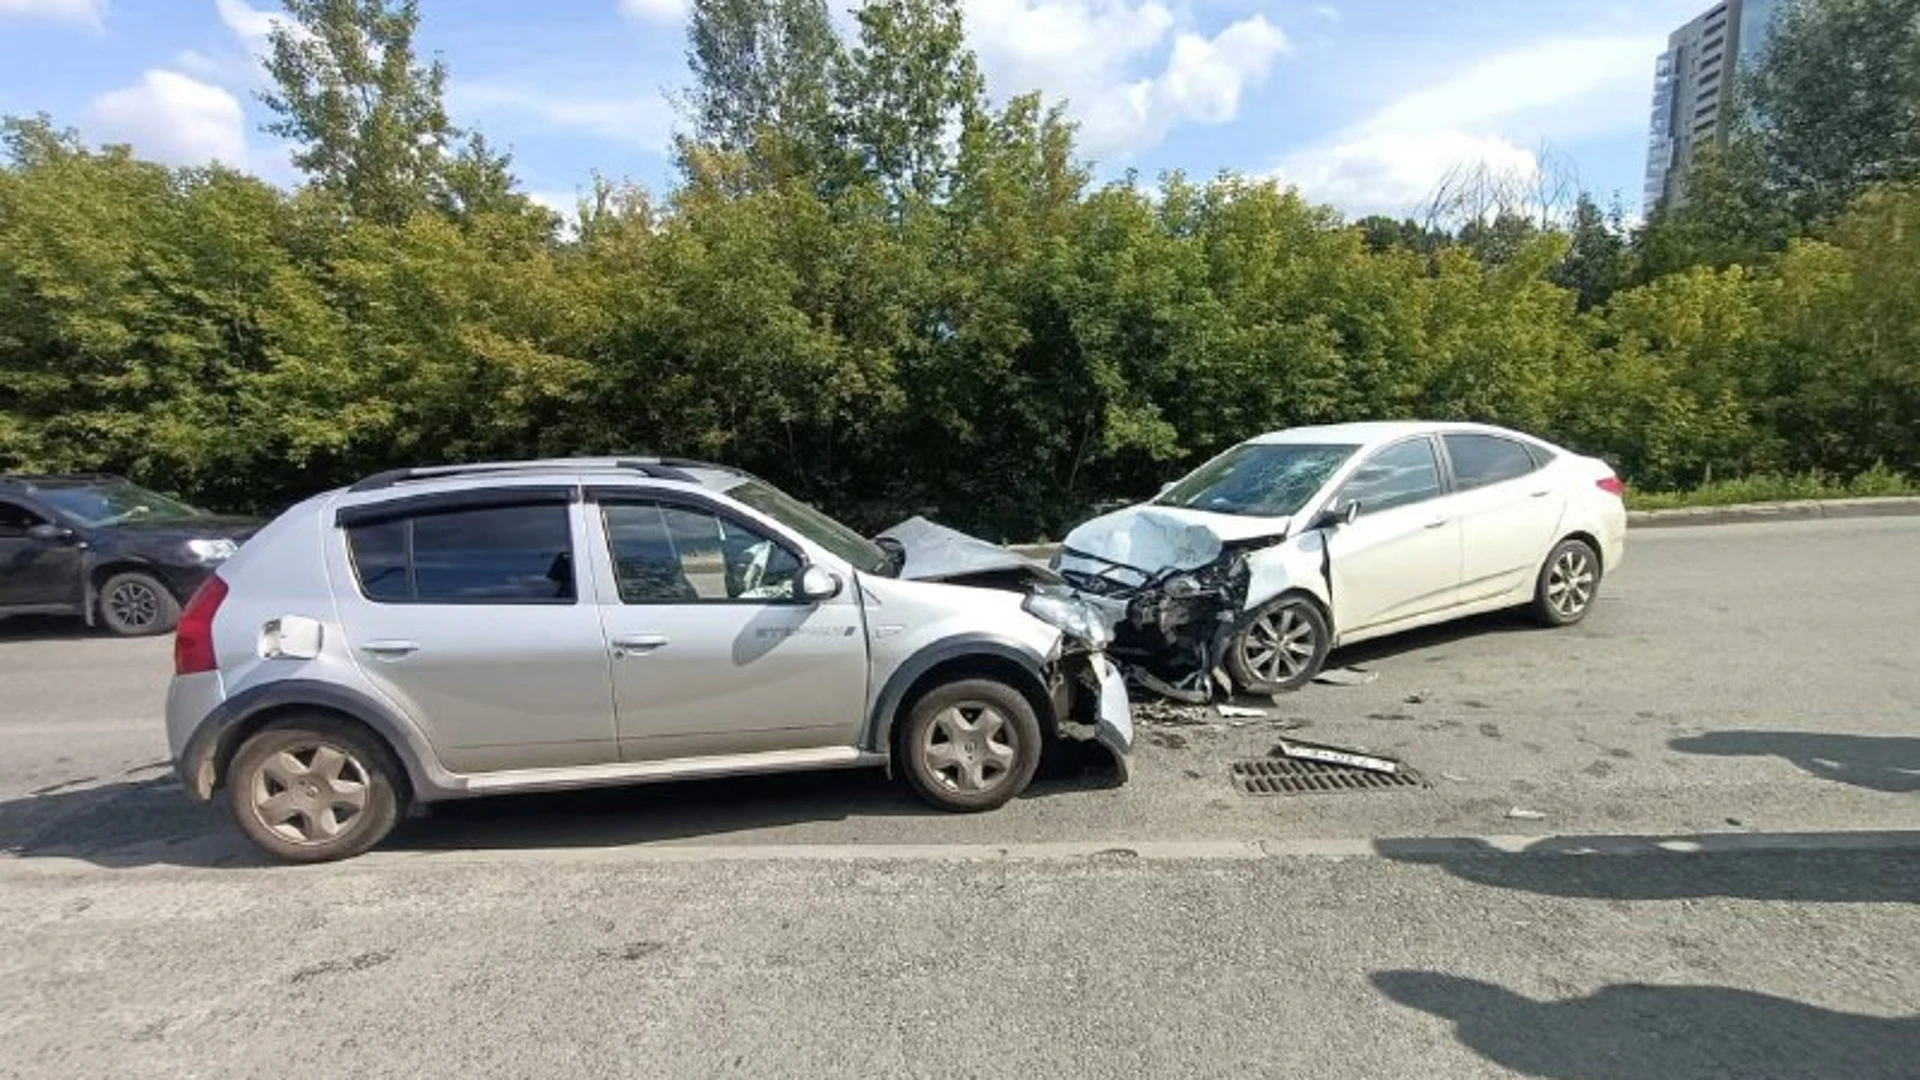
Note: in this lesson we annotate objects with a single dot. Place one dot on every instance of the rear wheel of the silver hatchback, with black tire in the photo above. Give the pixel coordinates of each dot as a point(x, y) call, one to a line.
point(266, 766)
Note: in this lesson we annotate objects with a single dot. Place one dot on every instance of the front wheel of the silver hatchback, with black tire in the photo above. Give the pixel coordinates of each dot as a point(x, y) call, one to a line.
point(974, 775)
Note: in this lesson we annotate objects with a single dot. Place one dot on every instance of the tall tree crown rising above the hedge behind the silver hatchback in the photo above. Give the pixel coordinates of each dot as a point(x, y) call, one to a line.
point(368, 118)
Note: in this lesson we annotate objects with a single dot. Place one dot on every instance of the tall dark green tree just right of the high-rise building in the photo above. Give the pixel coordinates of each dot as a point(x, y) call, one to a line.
point(1838, 95)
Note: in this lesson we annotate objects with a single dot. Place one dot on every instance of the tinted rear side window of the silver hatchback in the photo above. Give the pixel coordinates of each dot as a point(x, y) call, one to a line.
point(512, 554)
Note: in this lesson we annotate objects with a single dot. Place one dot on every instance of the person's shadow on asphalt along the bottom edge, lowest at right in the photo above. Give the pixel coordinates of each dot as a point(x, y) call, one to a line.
point(1677, 1033)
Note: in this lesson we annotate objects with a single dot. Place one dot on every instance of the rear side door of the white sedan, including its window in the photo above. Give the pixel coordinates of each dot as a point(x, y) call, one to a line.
point(1510, 510)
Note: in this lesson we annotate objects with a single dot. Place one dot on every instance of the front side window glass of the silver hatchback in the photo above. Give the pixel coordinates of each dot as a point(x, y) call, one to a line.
point(669, 554)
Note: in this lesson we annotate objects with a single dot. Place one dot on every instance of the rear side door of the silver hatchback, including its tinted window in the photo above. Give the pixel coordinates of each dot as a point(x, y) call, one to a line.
point(468, 612)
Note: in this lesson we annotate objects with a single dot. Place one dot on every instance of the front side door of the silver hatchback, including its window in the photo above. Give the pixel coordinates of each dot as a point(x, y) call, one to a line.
point(713, 652)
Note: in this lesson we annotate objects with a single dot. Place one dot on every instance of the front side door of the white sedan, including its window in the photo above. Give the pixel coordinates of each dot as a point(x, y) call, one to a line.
point(1401, 556)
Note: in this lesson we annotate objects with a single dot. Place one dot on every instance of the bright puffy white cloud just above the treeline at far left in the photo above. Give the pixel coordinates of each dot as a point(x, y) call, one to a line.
point(174, 118)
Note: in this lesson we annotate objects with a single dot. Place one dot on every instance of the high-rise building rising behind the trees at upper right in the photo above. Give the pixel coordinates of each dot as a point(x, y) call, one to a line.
point(1694, 89)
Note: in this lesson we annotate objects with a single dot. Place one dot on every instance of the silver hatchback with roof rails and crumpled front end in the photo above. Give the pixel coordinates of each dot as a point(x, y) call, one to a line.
point(540, 626)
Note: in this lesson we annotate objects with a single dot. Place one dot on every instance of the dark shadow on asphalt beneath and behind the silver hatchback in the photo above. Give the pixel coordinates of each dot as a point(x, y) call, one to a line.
point(135, 823)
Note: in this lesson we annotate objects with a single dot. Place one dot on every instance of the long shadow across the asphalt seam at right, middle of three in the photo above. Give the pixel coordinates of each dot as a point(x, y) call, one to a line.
point(1815, 868)
